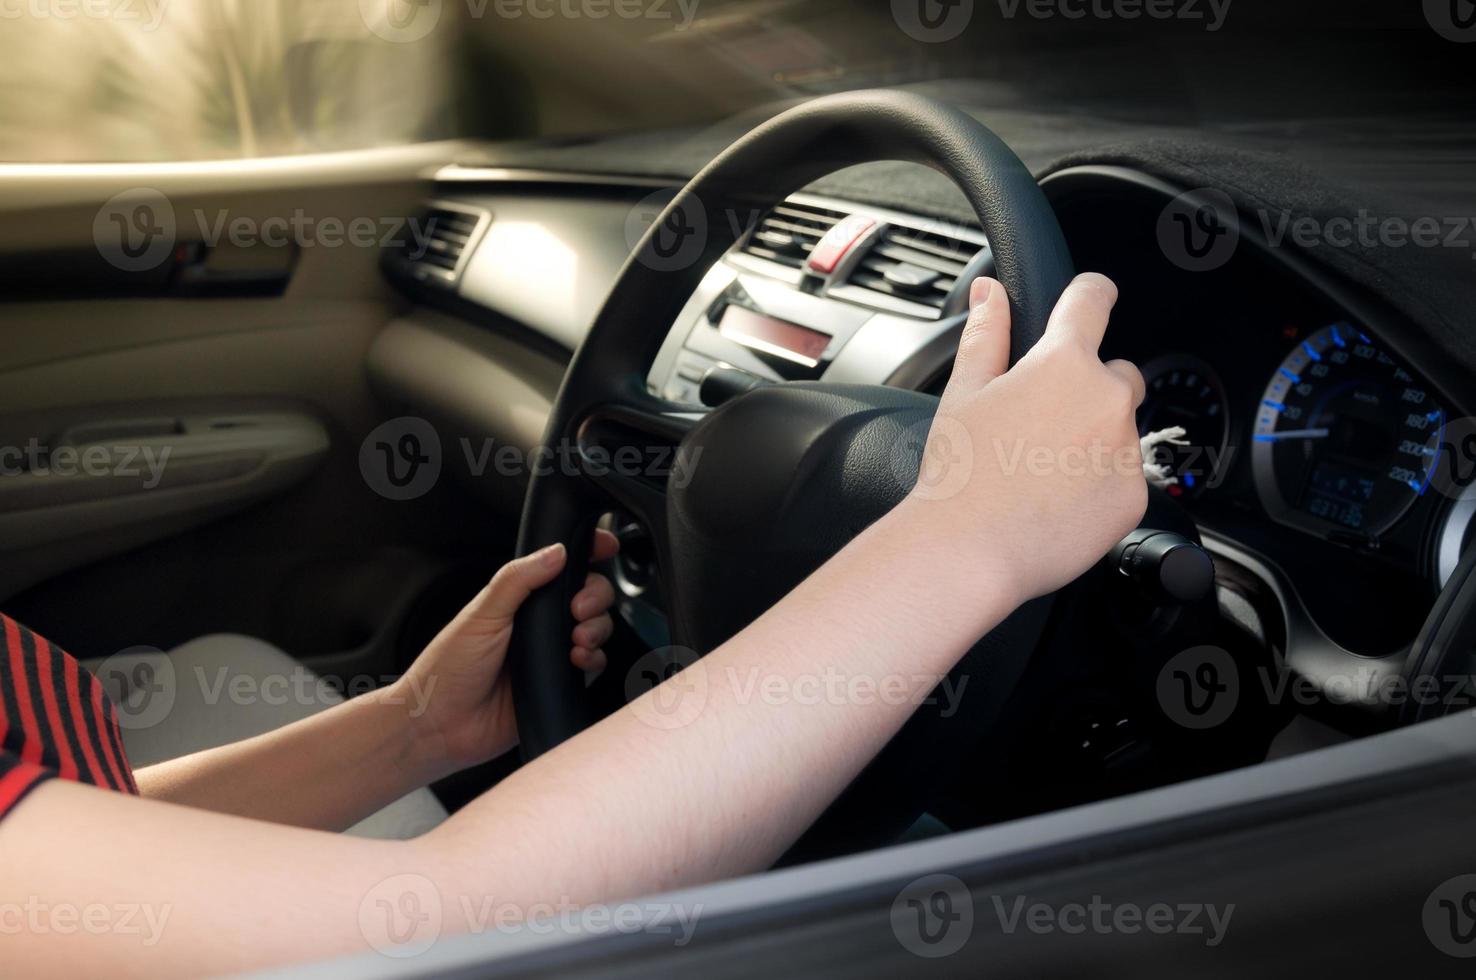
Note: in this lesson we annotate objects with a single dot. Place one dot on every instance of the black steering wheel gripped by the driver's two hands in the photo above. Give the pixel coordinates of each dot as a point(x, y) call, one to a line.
point(786, 476)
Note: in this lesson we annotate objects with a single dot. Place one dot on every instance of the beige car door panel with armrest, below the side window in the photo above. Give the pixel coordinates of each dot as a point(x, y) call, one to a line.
point(244, 330)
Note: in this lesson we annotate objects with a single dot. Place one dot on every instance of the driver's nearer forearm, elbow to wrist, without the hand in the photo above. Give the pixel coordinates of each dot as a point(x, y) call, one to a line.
point(752, 767)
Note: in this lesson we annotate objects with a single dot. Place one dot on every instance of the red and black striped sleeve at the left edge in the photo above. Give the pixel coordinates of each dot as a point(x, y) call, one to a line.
point(55, 721)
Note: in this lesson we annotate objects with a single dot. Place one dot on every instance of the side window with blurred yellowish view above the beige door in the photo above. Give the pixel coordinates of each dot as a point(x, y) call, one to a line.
point(178, 80)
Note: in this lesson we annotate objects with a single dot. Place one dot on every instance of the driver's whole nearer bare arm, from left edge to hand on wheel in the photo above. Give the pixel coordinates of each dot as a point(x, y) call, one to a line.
point(632, 807)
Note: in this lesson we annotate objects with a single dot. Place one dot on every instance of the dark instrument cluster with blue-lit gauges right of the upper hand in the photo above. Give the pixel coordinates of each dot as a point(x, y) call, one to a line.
point(1298, 421)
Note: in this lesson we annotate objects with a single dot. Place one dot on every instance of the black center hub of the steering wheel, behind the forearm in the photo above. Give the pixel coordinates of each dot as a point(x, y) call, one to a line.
point(782, 480)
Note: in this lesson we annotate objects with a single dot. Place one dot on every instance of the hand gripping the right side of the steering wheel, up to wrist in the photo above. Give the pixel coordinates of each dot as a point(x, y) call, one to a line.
point(1035, 472)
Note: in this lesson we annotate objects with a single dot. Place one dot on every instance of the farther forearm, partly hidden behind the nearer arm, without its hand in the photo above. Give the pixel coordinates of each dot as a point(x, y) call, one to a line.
point(325, 773)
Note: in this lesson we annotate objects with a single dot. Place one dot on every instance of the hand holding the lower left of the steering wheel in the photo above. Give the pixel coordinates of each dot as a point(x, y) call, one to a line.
point(460, 696)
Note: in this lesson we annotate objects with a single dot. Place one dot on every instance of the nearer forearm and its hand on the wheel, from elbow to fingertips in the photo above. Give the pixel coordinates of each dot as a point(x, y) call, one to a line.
point(743, 776)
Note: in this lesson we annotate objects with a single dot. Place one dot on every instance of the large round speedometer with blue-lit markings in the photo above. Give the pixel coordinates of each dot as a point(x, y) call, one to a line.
point(1345, 438)
